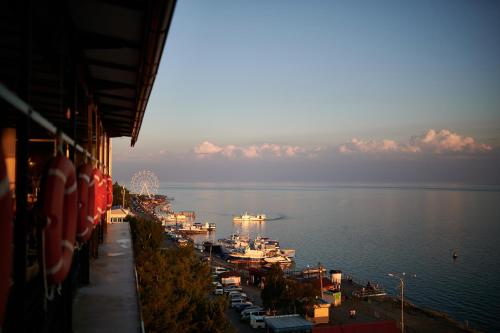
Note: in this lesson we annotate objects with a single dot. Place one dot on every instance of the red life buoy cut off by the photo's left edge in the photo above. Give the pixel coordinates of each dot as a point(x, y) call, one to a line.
point(5, 236)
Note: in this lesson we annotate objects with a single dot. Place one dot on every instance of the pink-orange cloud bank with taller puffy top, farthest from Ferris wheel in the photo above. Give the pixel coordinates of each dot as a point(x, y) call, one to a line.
point(432, 141)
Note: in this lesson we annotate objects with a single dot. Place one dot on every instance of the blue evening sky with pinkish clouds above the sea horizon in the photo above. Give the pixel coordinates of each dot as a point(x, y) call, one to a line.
point(324, 91)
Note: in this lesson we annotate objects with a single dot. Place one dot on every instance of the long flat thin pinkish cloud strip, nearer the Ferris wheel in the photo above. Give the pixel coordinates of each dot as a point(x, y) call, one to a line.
point(266, 150)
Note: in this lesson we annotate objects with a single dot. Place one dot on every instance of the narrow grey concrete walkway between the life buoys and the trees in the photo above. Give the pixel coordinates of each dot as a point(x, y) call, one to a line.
point(109, 302)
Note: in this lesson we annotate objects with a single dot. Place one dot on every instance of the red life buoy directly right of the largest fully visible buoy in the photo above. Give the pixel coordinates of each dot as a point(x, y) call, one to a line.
point(85, 202)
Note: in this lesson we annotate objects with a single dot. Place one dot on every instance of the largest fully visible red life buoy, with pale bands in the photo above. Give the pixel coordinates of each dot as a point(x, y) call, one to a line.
point(60, 207)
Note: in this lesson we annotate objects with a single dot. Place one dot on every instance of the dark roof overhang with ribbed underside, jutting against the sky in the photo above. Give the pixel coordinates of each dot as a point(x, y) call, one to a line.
point(120, 44)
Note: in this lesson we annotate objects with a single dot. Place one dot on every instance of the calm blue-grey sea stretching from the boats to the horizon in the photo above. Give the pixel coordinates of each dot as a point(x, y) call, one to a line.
point(371, 231)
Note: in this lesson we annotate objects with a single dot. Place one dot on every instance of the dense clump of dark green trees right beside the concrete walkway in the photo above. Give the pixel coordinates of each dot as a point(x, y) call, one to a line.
point(174, 285)
